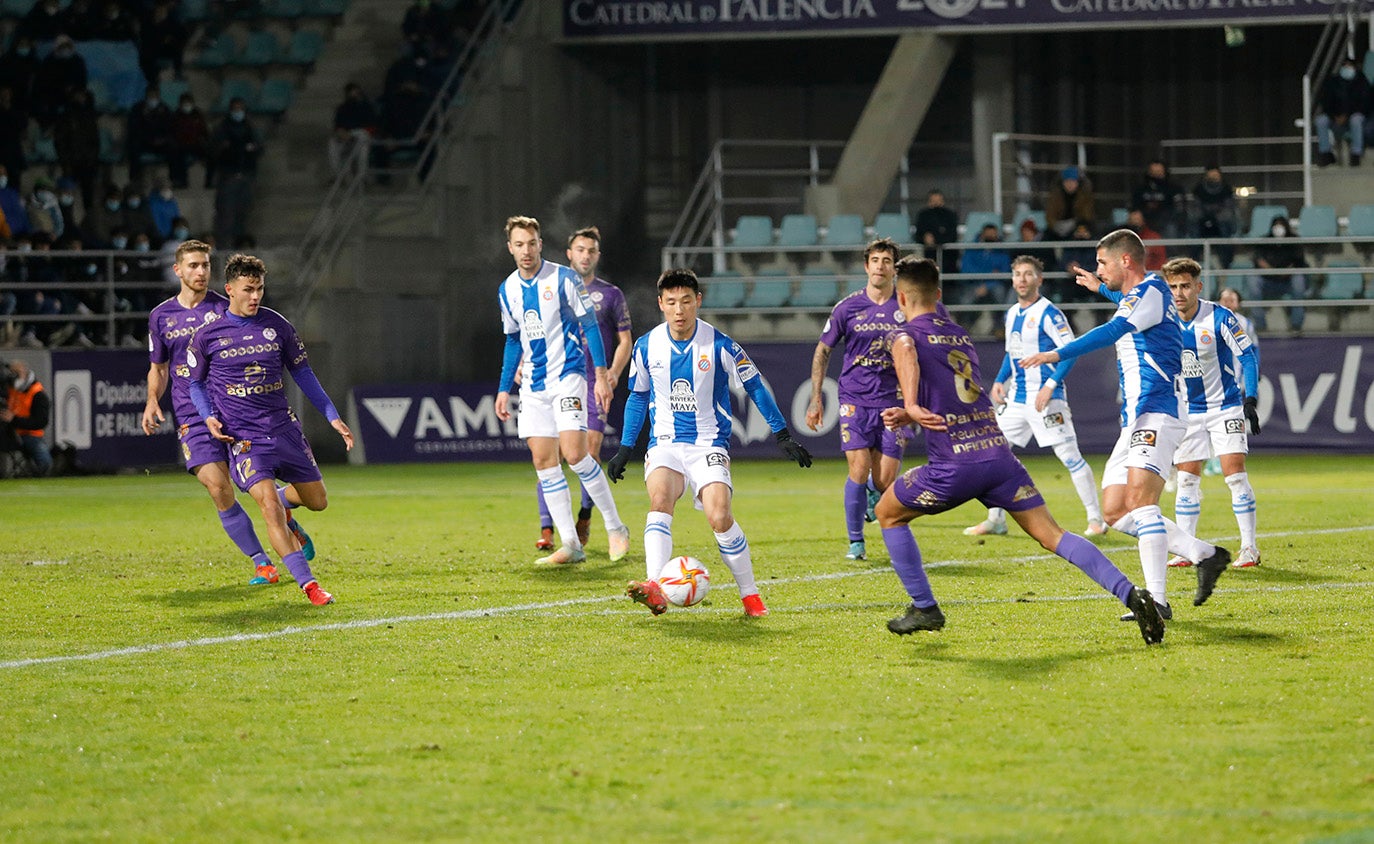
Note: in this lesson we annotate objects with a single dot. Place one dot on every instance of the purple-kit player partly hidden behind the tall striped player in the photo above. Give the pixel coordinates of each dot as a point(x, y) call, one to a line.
point(613, 320)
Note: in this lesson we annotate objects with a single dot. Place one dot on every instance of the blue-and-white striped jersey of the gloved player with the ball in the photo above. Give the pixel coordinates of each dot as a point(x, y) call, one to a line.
point(689, 386)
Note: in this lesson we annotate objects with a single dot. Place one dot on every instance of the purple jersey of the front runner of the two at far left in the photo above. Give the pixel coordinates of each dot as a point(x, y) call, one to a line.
point(244, 361)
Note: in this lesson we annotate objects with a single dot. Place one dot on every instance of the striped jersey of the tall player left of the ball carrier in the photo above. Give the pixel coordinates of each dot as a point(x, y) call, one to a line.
point(545, 311)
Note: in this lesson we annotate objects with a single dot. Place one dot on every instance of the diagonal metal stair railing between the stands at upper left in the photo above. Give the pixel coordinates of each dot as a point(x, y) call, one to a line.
point(354, 193)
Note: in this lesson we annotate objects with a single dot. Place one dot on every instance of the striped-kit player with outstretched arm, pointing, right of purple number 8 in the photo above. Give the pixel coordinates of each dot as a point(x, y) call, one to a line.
point(1149, 346)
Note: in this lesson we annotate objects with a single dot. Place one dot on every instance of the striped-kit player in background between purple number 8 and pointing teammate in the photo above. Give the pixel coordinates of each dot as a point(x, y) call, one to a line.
point(1034, 402)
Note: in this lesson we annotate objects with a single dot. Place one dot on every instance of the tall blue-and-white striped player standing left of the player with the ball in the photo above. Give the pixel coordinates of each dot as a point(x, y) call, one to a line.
point(550, 325)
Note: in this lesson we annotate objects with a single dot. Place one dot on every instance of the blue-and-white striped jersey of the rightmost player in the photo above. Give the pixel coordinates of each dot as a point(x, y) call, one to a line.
point(1214, 344)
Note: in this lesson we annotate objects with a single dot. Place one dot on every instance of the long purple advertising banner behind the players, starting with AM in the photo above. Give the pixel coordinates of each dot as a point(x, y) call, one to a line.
point(1316, 394)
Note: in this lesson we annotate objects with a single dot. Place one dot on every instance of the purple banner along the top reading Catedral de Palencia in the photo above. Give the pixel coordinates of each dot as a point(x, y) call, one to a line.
point(703, 19)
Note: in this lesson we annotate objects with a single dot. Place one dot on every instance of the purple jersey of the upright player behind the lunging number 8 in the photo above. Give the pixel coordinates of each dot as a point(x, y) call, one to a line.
point(865, 326)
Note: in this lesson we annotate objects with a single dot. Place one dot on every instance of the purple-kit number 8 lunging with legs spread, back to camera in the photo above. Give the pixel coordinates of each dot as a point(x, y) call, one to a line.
point(969, 458)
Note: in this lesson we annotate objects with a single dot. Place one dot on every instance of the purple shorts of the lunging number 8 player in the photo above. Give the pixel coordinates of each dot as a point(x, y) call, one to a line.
point(939, 487)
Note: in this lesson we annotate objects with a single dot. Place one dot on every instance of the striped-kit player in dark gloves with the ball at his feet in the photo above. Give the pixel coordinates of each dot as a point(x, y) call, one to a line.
point(679, 379)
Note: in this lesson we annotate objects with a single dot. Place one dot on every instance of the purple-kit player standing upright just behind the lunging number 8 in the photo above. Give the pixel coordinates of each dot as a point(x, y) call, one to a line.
point(864, 322)
